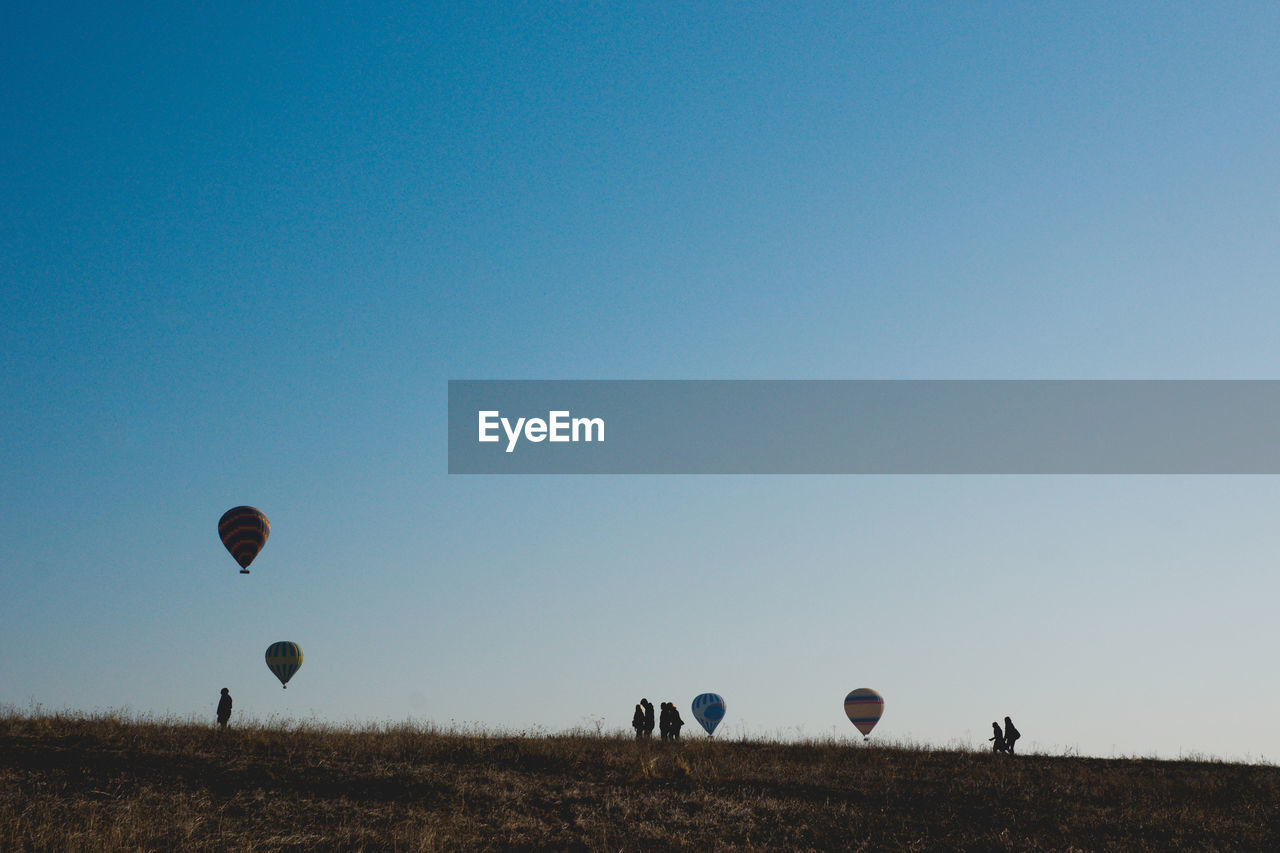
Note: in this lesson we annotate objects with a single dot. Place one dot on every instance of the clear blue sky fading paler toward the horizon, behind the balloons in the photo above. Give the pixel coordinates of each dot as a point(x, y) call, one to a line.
point(244, 249)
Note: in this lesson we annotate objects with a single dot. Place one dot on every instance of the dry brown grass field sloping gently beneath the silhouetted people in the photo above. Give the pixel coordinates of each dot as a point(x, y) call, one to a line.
point(104, 783)
